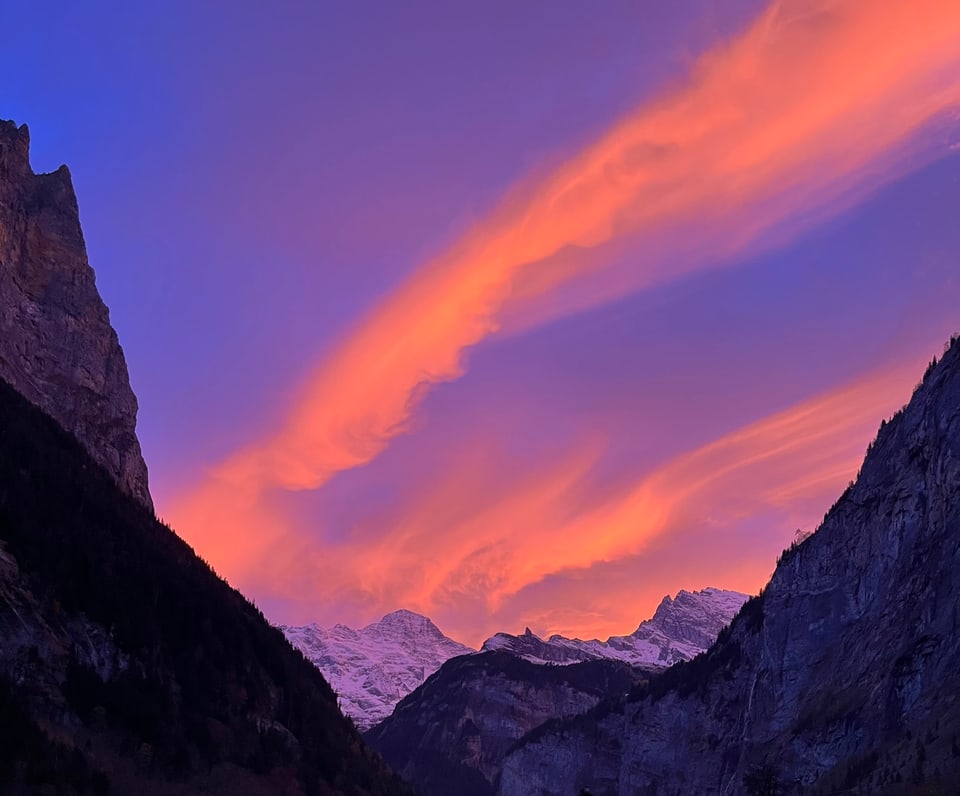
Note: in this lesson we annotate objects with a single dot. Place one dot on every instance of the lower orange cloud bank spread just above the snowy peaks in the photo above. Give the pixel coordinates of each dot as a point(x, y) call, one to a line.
point(467, 555)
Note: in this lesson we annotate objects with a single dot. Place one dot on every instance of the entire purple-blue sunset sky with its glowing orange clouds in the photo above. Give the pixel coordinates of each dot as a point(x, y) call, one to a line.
point(512, 314)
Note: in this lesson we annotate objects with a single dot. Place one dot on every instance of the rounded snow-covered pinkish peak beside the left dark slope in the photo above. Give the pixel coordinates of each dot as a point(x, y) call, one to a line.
point(373, 668)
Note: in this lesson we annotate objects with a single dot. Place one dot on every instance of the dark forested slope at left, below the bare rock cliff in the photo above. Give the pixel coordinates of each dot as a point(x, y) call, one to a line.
point(127, 665)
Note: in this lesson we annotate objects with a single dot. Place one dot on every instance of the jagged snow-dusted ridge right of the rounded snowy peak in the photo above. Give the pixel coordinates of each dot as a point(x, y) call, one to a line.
point(681, 628)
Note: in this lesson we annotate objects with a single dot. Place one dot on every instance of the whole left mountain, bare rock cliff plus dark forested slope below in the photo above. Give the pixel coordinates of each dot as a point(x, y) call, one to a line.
point(126, 664)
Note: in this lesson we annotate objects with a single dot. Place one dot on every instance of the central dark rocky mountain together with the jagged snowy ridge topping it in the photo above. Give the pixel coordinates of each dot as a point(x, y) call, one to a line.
point(450, 736)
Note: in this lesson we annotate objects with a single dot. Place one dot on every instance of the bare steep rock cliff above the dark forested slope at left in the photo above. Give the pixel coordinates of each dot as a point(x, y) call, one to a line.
point(56, 343)
